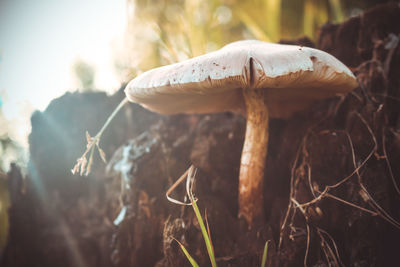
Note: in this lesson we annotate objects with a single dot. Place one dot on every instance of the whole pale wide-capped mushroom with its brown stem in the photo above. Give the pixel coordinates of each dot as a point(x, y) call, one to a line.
point(257, 79)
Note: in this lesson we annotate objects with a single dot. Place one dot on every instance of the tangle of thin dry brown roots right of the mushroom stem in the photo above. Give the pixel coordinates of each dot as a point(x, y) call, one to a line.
point(302, 168)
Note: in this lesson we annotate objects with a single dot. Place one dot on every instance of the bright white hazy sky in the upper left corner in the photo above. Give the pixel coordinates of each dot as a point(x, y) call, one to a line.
point(39, 42)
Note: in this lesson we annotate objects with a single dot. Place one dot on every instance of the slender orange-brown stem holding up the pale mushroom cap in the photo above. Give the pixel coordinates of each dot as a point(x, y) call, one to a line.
point(251, 177)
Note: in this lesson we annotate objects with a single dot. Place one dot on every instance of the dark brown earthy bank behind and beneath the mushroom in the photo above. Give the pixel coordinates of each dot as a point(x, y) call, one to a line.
point(332, 179)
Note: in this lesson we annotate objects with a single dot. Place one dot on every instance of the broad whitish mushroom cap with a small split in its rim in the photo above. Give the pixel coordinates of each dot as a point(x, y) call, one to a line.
point(292, 76)
